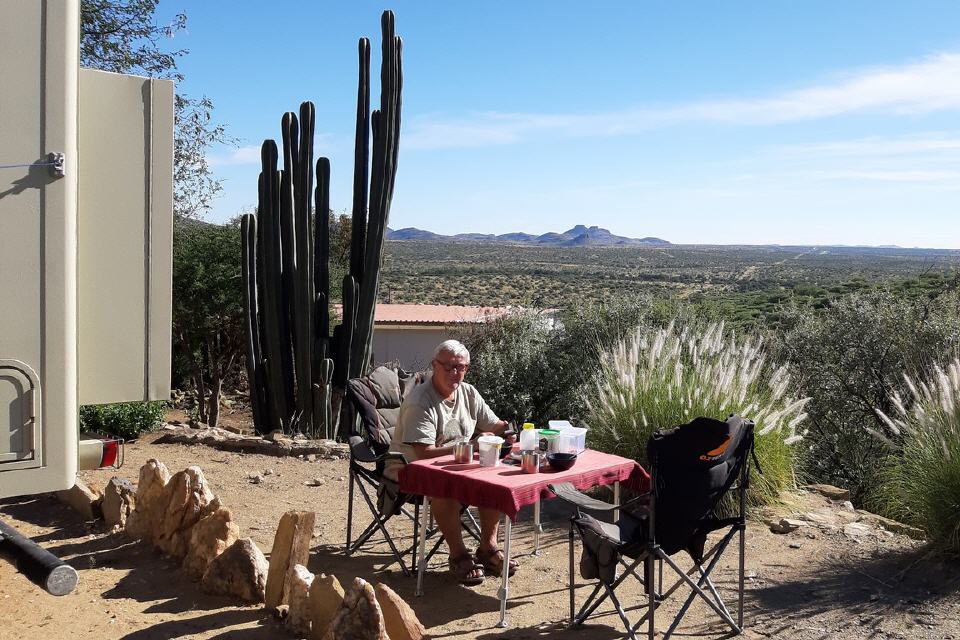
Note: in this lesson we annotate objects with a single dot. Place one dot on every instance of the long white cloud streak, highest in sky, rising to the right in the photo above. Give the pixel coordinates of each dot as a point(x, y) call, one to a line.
point(932, 84)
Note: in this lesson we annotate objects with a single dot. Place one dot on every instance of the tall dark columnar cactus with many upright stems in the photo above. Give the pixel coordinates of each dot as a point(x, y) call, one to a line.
point(297, 370)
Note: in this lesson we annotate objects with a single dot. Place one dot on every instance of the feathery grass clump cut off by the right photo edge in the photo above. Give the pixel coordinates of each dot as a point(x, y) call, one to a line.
point(920, 481)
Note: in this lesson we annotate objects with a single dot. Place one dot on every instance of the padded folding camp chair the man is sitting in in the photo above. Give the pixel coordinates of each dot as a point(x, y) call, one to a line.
point(373, 409)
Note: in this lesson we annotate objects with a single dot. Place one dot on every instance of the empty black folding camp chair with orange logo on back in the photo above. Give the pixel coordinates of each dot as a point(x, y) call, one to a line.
point(692, 468)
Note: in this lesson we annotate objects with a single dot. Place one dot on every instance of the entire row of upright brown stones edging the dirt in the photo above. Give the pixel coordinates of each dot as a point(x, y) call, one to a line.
point(180, 516)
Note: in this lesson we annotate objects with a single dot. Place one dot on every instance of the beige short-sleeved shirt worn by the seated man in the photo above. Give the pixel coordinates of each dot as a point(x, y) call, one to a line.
point(426, 418)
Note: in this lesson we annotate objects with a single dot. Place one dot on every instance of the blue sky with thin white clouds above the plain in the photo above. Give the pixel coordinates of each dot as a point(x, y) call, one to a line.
point(782, 122)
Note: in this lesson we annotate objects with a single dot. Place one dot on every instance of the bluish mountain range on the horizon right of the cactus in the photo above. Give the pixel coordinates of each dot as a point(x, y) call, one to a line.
point(578, 236)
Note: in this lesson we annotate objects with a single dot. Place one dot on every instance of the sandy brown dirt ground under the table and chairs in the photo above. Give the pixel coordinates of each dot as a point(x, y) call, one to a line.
point(808, 584)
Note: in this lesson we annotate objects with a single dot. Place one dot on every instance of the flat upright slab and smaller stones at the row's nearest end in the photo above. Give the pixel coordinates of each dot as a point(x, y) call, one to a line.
point(317, 607)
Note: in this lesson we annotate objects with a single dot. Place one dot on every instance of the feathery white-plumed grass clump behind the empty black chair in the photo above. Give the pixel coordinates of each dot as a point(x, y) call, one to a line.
point(661, 378)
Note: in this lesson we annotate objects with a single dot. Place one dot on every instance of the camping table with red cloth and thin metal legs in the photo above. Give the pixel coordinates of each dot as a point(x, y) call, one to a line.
point(507, 488)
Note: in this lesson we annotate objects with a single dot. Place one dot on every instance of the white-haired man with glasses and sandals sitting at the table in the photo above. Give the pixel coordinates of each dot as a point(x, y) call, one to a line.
point(433, 416)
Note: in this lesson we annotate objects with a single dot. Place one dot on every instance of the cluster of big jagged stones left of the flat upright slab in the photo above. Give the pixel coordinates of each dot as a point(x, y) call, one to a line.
point(181, 517)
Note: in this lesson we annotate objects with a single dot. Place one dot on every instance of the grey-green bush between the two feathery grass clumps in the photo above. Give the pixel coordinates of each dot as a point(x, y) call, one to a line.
point(849, 357)
